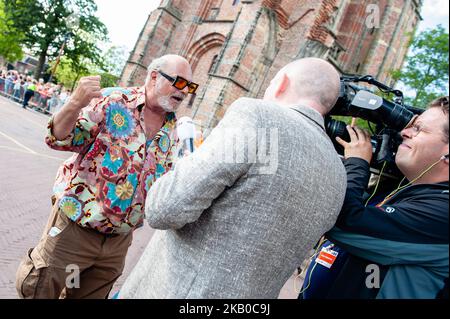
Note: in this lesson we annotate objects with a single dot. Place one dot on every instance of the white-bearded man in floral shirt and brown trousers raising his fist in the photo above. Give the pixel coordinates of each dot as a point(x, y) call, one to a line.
point(122, 143)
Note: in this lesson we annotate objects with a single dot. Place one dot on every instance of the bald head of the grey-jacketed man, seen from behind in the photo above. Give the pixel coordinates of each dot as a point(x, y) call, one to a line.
point(311, 81)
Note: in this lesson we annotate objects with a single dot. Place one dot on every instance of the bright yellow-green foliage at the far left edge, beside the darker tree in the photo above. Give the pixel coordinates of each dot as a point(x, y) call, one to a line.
point(10, 38)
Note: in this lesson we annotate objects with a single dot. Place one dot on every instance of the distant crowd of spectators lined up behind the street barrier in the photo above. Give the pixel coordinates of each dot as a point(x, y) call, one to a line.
point(29, 92)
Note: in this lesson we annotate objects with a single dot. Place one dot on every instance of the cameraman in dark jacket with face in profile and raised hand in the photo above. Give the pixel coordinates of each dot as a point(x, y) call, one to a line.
point(398, 248)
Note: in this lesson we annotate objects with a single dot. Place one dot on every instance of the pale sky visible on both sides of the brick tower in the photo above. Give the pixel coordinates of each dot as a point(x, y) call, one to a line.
point(125, 19)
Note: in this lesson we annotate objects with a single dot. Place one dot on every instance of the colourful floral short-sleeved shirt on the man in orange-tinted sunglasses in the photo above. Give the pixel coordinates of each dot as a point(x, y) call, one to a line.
point(103, 186)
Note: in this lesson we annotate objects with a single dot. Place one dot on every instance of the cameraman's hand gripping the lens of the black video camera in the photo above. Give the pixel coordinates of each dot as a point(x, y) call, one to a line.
point(359, 145)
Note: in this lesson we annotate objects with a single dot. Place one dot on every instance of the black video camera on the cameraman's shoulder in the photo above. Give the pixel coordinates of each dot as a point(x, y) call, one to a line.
point(389, 118)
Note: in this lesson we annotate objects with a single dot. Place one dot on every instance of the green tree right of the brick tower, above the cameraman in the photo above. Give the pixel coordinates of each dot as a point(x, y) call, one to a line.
point(426, 67)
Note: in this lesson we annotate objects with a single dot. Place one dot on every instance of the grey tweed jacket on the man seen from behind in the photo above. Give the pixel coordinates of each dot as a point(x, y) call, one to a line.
point(239, 215)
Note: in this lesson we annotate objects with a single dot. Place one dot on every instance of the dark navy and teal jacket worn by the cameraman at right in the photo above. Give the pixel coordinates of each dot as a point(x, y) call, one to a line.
point(407, 237)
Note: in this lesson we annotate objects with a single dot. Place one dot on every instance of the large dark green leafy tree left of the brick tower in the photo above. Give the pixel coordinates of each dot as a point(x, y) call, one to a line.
point(47, 25)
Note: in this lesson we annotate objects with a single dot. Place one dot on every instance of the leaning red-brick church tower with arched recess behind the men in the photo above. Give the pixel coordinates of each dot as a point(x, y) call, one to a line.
point(236, 47)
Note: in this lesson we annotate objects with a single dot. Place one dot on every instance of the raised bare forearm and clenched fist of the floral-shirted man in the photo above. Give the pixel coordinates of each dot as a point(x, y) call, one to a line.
point(64, 121)
